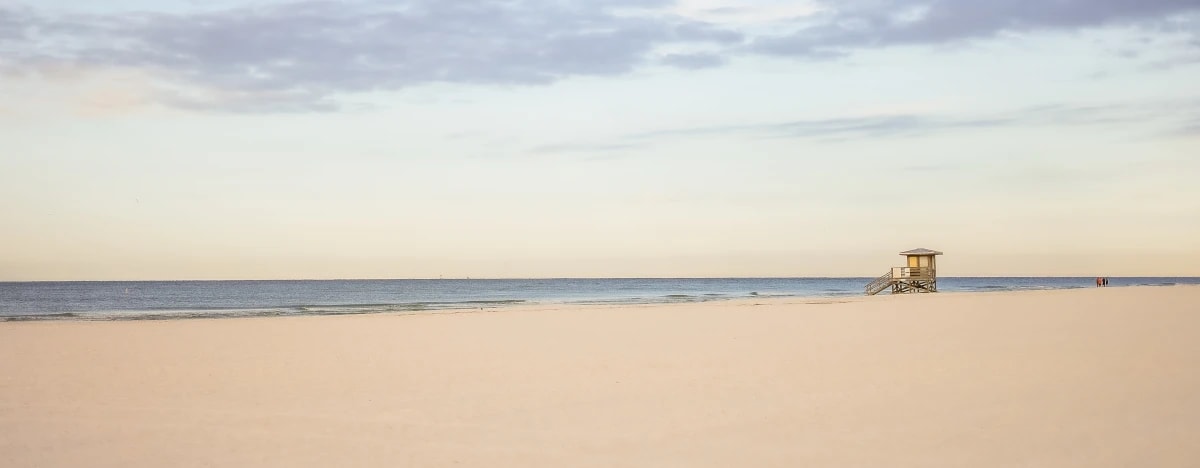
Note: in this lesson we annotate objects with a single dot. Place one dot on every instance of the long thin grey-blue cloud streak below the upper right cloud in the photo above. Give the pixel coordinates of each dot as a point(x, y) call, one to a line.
point(903, 125)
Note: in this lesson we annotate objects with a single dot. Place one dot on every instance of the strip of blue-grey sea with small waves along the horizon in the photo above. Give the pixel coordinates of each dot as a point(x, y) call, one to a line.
point(109, 301)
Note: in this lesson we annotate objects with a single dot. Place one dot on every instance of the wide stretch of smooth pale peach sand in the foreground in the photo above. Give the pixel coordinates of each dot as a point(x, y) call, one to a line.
point(1053, 379)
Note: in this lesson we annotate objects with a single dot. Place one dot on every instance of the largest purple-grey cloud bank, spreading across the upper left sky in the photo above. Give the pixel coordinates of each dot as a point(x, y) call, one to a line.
point(296, 56)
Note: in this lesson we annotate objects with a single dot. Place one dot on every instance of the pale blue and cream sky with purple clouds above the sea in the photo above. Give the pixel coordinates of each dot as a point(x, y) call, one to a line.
point(188, 140)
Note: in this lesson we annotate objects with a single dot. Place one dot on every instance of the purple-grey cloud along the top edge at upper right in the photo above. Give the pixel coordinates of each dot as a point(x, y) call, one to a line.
point(854, 25)
